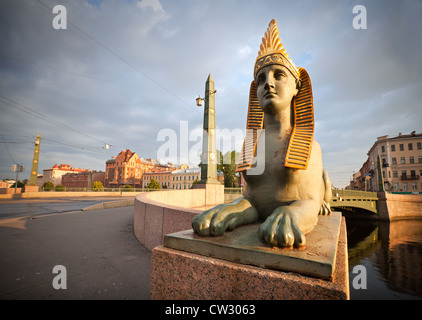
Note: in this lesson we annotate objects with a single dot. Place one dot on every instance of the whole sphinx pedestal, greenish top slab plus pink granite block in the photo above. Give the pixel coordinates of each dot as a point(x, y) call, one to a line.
point(189, 267)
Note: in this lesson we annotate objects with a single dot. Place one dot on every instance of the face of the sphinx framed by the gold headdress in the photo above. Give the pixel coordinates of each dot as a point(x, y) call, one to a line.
point(276, 87)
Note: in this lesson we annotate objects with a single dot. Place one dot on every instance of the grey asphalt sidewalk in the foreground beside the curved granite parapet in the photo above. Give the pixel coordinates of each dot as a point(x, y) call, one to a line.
point(103, 259)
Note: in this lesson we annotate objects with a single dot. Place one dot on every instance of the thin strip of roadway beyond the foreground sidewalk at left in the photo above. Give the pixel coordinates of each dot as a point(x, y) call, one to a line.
point(32, 207)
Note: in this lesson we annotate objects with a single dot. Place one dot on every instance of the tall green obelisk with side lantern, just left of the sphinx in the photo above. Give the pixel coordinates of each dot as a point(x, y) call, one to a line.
point(208, 157)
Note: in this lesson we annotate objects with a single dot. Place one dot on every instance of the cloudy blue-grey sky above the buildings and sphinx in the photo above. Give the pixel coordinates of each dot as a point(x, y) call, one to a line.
point(125, 74)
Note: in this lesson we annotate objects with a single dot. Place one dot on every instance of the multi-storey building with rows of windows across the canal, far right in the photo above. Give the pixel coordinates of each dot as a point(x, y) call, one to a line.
point(400, 162)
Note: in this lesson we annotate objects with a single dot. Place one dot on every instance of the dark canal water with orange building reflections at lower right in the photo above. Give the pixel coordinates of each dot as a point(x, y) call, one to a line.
point(391, 256)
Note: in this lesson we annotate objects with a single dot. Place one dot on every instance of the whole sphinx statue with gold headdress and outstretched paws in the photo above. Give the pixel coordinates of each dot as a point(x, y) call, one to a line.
point(292, 188)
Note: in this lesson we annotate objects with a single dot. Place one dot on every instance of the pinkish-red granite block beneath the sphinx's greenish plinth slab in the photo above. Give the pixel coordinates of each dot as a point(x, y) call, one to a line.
point(179, 275)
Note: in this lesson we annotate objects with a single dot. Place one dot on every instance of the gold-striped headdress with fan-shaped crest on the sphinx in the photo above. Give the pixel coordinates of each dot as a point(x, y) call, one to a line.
point(300, 144)
